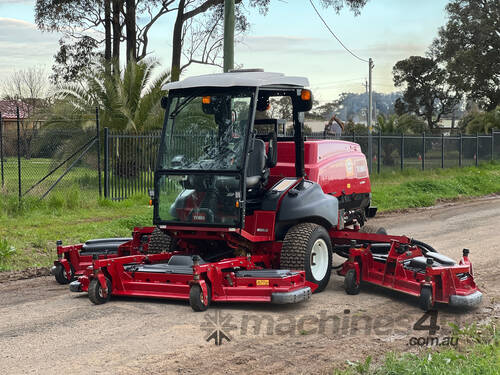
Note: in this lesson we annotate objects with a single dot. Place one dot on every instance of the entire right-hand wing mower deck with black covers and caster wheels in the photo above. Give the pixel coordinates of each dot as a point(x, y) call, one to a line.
point(411, 267)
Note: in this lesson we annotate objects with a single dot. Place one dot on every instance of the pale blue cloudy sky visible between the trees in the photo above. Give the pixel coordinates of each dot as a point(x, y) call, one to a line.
point(290, 39)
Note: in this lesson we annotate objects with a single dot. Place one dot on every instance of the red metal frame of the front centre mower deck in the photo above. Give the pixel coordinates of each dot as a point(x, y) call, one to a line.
point(225, 286)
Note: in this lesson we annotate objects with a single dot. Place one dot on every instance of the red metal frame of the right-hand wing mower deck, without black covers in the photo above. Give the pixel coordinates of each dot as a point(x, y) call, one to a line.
point(444, 282)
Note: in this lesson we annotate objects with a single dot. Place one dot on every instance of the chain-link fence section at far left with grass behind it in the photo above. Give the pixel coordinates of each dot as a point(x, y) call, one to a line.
point(59, 163)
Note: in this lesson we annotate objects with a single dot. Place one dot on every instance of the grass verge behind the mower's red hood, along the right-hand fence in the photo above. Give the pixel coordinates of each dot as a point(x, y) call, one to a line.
point(414, 188)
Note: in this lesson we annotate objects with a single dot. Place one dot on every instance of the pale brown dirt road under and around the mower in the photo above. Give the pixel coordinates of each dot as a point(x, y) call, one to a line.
point(44, 328)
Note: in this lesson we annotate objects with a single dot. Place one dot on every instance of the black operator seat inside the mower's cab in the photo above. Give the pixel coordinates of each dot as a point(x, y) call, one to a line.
point(257, 170)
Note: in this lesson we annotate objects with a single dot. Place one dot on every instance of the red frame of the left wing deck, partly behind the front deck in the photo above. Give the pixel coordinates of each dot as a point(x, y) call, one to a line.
point(76, 264)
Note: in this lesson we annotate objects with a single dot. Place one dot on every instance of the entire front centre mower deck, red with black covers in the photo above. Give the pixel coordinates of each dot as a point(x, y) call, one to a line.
point(172, 276)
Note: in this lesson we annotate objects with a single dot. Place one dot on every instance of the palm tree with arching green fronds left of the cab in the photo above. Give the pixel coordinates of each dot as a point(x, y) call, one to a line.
point(128, 100)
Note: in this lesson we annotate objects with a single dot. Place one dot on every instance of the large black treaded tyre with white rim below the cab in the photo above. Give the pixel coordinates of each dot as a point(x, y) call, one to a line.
point(307, 247)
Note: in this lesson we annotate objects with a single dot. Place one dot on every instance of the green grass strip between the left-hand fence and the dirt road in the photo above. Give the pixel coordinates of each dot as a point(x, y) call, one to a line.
point(28, 233)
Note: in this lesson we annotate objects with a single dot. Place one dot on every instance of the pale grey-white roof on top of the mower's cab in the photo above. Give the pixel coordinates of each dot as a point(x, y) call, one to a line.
point(241, 79)
